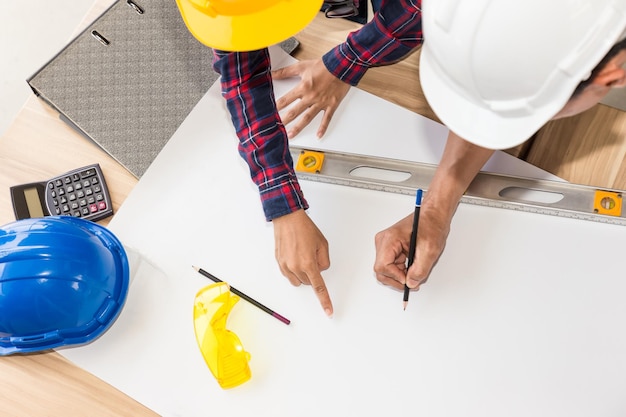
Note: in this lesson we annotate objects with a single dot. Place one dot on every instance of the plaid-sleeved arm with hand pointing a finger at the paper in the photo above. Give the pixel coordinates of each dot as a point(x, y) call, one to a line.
point(247, 88)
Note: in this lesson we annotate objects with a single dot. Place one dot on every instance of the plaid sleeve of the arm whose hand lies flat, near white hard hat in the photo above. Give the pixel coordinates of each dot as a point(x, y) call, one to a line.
point(394, 32)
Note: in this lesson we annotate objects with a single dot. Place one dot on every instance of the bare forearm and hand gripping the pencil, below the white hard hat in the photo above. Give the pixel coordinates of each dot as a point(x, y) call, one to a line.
point(459, 164)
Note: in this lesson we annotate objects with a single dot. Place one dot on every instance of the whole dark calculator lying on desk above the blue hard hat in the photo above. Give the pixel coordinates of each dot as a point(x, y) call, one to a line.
point(80, 193)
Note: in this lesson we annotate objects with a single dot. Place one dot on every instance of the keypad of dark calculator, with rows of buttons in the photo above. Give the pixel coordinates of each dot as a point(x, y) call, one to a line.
point(79, 193)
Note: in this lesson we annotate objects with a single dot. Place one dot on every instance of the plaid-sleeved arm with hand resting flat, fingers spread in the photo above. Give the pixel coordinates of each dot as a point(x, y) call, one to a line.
point(392, 34)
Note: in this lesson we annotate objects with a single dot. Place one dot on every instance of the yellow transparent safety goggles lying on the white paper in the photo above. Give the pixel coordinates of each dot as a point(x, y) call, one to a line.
point(221, 349)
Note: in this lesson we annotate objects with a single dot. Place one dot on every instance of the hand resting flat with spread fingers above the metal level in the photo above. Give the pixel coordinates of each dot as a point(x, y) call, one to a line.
point(318, 91)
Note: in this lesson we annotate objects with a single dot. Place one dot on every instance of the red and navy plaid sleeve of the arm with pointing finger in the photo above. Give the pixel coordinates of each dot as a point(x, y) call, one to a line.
point(246, 84)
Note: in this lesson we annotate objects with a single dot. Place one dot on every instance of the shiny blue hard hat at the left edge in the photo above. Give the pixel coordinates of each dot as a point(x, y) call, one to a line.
point(63, 282)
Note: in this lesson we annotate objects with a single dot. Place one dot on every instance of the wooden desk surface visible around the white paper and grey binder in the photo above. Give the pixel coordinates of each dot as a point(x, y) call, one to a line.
point(589, 149)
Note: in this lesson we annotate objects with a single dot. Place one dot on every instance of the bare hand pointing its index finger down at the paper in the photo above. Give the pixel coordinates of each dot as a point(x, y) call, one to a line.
point(302, 253)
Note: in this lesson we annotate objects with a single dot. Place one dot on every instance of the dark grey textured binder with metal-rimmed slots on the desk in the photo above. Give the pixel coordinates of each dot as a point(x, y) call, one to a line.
point(130, 79)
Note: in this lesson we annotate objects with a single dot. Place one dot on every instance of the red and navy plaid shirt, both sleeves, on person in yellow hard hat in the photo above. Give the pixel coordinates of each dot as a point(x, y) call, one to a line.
point(247, 87)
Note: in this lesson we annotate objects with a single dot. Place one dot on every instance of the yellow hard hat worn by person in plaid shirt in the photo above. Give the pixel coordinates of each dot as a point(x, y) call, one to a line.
point(246, 25)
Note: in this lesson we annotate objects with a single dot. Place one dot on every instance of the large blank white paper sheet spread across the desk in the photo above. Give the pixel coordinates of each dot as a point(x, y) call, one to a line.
point(523, 316)
